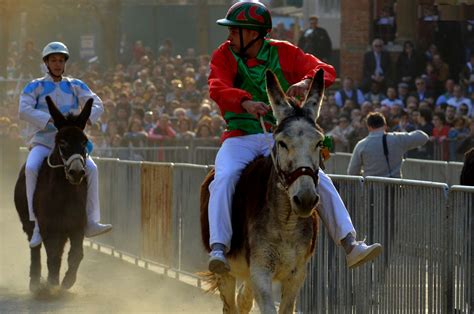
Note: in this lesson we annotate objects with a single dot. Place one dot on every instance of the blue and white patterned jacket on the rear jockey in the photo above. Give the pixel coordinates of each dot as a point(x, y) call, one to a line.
point(69, 95)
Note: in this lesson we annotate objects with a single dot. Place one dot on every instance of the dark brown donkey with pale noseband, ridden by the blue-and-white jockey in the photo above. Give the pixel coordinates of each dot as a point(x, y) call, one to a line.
point(59, 201)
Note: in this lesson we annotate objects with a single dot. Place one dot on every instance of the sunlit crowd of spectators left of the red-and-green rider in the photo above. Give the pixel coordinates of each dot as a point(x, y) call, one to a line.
point(149, 101)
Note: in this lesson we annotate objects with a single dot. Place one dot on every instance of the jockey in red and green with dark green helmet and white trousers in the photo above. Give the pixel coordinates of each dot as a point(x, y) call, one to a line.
point(237, 84)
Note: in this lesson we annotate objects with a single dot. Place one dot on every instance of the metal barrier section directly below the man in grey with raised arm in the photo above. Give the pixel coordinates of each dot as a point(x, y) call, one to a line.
point(408, 218)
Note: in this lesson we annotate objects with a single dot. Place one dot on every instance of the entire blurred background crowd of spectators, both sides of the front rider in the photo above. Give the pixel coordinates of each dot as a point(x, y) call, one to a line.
point(159, 97)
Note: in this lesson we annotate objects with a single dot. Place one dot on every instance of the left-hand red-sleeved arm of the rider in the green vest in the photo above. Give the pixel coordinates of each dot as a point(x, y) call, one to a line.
point(221, 81)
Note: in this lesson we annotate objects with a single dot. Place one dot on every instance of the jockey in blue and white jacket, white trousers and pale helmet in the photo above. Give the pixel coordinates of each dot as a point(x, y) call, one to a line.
point(68, 94)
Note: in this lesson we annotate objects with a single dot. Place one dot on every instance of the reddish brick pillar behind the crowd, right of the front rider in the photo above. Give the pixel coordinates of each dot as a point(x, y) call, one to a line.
point(356, 19)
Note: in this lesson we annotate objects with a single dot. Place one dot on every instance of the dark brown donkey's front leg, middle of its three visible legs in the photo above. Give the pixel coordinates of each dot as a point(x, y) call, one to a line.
point(54, 244)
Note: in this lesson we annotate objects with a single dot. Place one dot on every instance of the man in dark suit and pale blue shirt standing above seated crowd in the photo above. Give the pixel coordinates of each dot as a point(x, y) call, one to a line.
point(377, 66)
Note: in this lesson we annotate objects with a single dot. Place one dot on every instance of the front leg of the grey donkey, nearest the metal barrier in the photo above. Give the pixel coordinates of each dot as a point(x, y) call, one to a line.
point(290, 287)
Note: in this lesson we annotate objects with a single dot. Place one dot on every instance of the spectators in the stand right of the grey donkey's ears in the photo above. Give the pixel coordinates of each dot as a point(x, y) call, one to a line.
point(417, 91)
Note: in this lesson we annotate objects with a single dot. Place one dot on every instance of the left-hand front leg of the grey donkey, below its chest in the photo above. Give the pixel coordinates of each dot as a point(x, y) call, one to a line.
point(261, 278)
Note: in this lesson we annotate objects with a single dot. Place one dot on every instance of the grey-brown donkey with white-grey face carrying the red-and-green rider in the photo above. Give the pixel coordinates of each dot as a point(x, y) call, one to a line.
point(274, 220)
